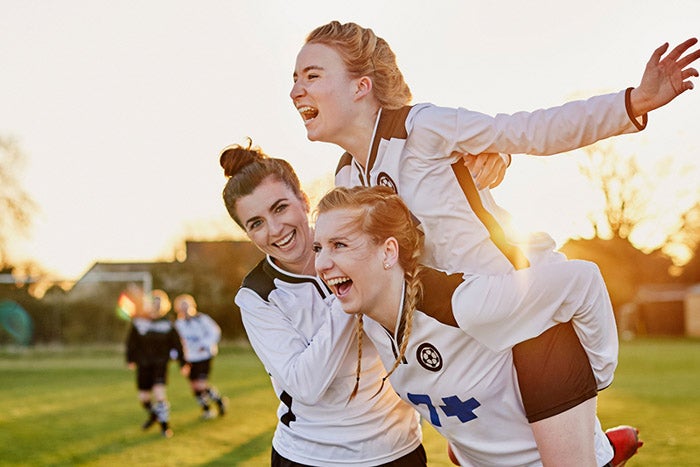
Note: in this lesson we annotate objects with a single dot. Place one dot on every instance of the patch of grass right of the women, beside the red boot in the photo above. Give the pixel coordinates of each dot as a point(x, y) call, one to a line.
point(657, 389)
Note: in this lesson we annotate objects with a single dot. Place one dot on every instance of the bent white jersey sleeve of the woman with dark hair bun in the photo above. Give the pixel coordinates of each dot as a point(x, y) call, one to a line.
point(304, 367)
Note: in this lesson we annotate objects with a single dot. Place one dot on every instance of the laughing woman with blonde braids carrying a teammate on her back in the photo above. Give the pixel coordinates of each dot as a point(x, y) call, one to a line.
point(462, 380)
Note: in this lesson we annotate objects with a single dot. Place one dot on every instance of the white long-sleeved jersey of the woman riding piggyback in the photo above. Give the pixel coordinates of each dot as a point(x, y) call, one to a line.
point(413, 152)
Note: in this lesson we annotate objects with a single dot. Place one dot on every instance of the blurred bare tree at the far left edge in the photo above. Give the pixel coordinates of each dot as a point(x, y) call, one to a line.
point(16, 205)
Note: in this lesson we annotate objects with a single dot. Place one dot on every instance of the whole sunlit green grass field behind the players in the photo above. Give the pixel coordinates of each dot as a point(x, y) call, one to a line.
point(65, 407)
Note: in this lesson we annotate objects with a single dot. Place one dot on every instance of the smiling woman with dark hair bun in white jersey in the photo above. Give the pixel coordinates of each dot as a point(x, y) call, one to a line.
point(286, 311)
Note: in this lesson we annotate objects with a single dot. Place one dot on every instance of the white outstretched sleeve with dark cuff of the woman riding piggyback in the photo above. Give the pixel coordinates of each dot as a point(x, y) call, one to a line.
point(439, 131)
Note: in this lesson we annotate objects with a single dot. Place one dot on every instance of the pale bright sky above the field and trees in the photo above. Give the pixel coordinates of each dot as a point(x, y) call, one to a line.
point(121, 107)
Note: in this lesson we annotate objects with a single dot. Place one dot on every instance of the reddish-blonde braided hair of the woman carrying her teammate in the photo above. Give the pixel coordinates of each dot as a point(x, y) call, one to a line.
point(382, 214)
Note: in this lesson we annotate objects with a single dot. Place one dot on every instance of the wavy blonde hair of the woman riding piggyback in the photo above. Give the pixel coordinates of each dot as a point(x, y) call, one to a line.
point(366, 54)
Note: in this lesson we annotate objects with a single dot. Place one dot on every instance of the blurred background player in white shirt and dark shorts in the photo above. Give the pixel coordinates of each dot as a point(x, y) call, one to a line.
point(200, 336)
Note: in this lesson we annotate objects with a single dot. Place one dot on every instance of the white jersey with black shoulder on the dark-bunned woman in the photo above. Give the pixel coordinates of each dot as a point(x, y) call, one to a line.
point(310, 355)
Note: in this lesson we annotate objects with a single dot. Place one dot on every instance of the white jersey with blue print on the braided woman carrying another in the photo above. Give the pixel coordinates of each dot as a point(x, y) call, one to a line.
point(468, 390)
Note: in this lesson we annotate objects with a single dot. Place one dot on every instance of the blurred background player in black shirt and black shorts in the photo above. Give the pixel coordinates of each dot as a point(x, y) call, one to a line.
point(151, 343)
